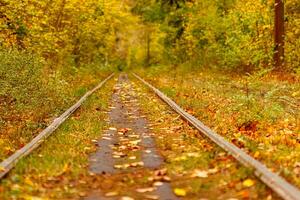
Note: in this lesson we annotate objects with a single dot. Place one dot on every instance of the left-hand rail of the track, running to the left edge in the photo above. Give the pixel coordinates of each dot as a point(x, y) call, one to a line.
point(7, 164)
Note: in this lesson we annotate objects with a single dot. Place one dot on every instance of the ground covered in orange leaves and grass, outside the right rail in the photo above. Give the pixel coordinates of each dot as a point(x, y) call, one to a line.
point(258, 112)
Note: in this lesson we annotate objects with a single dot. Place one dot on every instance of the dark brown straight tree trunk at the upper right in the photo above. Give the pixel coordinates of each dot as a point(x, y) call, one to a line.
point(279, 35)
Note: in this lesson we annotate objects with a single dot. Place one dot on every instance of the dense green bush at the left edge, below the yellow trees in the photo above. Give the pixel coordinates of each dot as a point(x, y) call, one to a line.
point(21, 80)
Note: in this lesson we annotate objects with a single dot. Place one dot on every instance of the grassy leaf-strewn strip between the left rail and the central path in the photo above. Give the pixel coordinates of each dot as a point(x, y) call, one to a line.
point(58, 168)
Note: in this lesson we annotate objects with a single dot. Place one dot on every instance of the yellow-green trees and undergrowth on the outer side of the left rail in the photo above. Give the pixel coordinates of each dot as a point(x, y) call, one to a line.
point(51, 53)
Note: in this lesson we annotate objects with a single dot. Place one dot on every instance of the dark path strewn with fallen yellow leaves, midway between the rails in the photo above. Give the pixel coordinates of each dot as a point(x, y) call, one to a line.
point(127, 154)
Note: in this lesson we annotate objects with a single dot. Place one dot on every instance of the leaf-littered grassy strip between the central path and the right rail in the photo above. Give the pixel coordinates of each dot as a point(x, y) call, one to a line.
point(197, 167)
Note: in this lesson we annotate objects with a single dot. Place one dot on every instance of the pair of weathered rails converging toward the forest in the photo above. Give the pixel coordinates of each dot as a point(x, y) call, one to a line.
point(284, 189)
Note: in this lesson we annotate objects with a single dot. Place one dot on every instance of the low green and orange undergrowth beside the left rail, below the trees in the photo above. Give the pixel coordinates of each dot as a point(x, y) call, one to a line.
point(31, 96)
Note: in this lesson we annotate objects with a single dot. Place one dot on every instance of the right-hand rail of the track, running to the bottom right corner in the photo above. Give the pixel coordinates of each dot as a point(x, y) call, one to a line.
point(284, 189)
